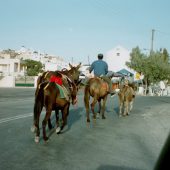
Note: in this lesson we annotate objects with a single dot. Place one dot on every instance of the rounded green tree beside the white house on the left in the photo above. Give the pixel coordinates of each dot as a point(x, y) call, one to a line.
point(33, 67)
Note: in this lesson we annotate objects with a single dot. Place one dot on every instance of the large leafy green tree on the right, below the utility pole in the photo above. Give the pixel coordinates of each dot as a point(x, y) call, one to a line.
point(155, 67)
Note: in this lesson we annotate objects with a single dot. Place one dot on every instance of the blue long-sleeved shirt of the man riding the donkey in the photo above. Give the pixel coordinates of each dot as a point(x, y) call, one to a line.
point(100, 67)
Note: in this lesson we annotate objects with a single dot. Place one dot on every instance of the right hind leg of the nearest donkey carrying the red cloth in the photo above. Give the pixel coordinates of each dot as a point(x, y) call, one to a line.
point(44, 122)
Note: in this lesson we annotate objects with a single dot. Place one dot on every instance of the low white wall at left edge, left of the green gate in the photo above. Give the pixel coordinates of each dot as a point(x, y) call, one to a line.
point(7, 81)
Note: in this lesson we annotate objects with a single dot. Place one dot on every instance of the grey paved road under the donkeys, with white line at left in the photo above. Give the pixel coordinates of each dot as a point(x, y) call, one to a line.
point(131, 143)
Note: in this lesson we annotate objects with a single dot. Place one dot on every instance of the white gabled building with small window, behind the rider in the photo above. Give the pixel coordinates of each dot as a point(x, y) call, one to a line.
point(116, 59)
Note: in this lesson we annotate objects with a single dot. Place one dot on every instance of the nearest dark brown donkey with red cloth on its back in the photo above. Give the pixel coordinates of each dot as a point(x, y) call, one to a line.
point(49, 96)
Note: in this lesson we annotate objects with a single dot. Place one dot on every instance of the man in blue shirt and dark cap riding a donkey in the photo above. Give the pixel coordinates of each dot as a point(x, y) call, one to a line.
point(100, 69)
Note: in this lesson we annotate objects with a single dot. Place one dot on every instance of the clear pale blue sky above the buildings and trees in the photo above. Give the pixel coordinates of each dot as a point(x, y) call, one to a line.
point(78, 30)
